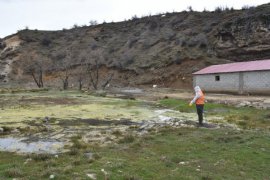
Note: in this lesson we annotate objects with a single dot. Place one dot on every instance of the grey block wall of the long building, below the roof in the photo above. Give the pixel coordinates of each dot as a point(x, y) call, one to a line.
point(239, 82)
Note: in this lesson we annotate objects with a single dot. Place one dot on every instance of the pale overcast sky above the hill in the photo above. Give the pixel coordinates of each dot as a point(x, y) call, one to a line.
point(58, 14)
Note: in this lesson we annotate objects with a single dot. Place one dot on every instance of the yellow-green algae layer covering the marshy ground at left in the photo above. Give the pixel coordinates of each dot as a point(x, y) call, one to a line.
point(84, 107)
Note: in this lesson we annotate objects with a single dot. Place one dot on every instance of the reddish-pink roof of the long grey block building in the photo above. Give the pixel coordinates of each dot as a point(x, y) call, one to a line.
point(236, 67)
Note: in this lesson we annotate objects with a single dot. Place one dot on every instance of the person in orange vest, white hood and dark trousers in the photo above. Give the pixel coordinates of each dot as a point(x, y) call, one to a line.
point(199, 101)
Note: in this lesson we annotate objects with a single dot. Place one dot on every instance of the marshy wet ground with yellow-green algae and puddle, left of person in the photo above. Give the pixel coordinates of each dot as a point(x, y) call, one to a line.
point(45, 122)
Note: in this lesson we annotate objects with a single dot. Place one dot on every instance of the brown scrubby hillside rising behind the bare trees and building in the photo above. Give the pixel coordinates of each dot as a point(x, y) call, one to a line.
point(162, 49)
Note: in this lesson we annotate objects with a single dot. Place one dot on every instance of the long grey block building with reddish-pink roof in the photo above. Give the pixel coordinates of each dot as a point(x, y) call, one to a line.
point(251, 77)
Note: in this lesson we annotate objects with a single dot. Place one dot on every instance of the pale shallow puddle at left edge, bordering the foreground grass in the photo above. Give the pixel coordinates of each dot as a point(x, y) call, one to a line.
point(19, 145)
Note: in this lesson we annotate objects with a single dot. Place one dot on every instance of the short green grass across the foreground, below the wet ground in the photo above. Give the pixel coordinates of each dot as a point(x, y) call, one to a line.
point(184, 153)
